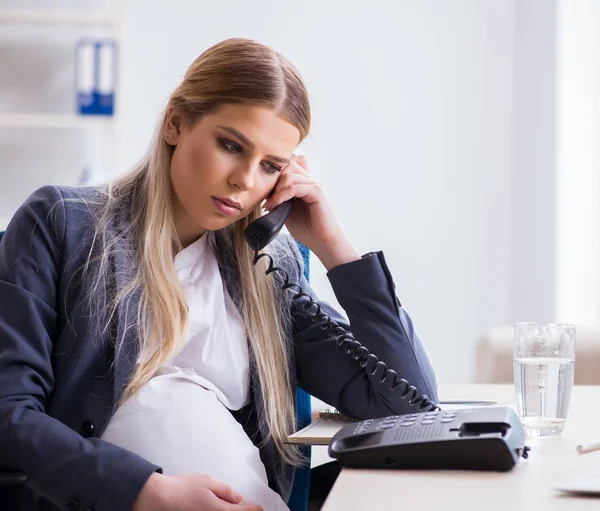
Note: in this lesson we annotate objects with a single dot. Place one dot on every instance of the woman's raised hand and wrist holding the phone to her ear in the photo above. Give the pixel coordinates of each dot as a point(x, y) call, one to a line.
point(312, 221)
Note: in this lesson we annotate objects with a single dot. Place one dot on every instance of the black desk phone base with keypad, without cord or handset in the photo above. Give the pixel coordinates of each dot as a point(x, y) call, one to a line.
point(490, 438)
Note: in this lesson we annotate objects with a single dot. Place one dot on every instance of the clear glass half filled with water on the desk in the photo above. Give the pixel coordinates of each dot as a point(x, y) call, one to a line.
point(544, 369)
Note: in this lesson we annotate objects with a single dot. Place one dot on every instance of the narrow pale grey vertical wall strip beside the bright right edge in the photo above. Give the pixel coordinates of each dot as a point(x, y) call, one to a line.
point(533, 207)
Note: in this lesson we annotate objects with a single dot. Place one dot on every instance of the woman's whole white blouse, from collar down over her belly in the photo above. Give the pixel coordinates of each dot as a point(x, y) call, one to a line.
point(180, 419)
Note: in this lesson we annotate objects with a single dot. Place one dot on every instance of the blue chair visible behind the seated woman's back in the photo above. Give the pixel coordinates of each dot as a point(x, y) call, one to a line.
point(298, 500)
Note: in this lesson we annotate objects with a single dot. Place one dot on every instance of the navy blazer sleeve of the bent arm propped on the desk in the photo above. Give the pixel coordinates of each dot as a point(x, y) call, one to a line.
point(366, 291)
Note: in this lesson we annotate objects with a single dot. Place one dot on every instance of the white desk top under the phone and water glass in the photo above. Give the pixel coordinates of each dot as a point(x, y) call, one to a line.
point(529, 486)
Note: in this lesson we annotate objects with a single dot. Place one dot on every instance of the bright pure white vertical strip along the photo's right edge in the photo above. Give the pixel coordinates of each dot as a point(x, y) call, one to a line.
point(578, 162)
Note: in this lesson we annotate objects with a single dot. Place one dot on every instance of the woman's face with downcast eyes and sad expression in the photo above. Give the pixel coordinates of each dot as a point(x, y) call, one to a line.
point(235, 154)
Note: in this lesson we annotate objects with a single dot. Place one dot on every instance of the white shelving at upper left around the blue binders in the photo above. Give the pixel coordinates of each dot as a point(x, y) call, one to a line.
point(95, 154)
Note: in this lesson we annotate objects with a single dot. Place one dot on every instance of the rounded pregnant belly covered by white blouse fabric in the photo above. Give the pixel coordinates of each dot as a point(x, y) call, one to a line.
point(182, 427)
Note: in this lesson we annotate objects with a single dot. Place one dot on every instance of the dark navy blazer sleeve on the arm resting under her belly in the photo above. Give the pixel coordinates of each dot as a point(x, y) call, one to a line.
point(61, 465)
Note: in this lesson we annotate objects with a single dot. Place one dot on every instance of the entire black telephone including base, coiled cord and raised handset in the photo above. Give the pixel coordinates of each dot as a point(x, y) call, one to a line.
point(477, 439)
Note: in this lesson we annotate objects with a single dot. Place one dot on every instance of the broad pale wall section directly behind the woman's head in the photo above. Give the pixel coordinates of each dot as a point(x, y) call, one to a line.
point(412, 110)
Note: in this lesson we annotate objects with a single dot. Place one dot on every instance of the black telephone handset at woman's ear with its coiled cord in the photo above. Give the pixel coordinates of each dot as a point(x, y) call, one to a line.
point(258, 235)
